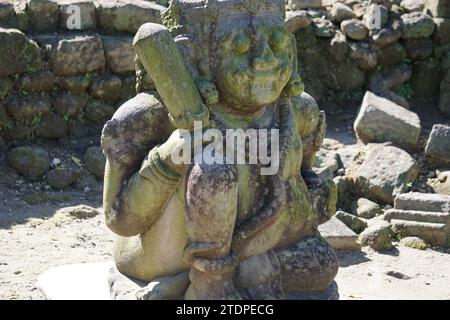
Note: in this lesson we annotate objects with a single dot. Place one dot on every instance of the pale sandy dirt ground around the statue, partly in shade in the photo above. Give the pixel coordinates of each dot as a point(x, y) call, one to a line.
point(30, 242)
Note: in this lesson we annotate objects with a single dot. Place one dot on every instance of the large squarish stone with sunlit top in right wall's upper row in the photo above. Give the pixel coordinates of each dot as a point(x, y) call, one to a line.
point(417, 25)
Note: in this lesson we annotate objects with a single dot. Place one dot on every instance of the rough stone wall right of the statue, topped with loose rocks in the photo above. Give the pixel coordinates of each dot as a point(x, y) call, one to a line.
point(399, 49)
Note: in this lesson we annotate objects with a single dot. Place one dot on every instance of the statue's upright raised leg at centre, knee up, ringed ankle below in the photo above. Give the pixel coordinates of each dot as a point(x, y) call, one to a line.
point(211, 206)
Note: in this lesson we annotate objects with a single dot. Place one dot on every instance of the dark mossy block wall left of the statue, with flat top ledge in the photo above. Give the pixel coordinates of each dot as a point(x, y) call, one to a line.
point(55, 81)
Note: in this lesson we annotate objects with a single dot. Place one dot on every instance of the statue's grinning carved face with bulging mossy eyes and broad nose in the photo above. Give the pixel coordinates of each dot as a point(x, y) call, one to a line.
point(254, 60)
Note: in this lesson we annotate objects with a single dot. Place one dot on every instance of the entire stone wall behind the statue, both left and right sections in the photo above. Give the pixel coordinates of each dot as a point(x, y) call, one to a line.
point(55, 81)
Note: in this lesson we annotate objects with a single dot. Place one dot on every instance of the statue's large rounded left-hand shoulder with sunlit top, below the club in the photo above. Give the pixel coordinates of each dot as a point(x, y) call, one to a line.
point(136, 127)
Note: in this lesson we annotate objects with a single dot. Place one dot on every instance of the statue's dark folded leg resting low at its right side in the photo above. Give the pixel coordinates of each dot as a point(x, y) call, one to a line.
point(309, 265)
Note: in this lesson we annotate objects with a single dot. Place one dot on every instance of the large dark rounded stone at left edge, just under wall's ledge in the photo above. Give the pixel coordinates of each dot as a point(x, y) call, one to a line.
point(19, 54)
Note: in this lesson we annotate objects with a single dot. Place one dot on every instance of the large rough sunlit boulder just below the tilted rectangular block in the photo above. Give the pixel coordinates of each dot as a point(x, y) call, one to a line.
point(386, 172)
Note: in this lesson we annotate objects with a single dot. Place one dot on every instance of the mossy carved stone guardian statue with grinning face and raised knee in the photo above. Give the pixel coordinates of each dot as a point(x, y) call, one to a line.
point(223, 231)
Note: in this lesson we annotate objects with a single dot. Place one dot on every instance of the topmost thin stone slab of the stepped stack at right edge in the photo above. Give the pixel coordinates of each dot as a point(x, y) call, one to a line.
point(423, 202)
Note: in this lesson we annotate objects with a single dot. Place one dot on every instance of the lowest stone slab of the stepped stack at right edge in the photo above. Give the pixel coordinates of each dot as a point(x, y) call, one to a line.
point(432, 233)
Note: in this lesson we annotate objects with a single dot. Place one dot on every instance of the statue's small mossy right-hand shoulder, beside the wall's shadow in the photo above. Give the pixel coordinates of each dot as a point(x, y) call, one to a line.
point(306, 112)
